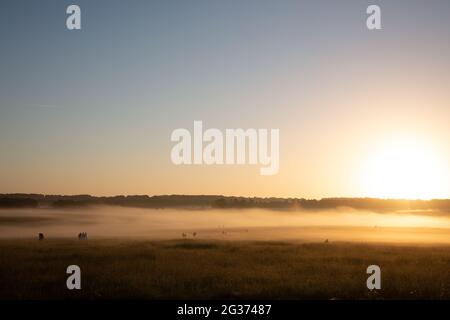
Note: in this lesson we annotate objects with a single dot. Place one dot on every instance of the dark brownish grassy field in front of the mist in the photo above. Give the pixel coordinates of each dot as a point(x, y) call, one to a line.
point(198, 269)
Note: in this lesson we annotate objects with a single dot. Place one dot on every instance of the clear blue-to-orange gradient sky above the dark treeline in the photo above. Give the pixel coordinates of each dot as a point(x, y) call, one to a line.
point(91, 111)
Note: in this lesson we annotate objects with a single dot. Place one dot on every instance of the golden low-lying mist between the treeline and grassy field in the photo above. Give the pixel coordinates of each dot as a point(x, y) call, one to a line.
point(227, 224)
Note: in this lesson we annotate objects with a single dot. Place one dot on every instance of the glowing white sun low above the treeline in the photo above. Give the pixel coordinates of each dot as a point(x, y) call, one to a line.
point(404, 169)
